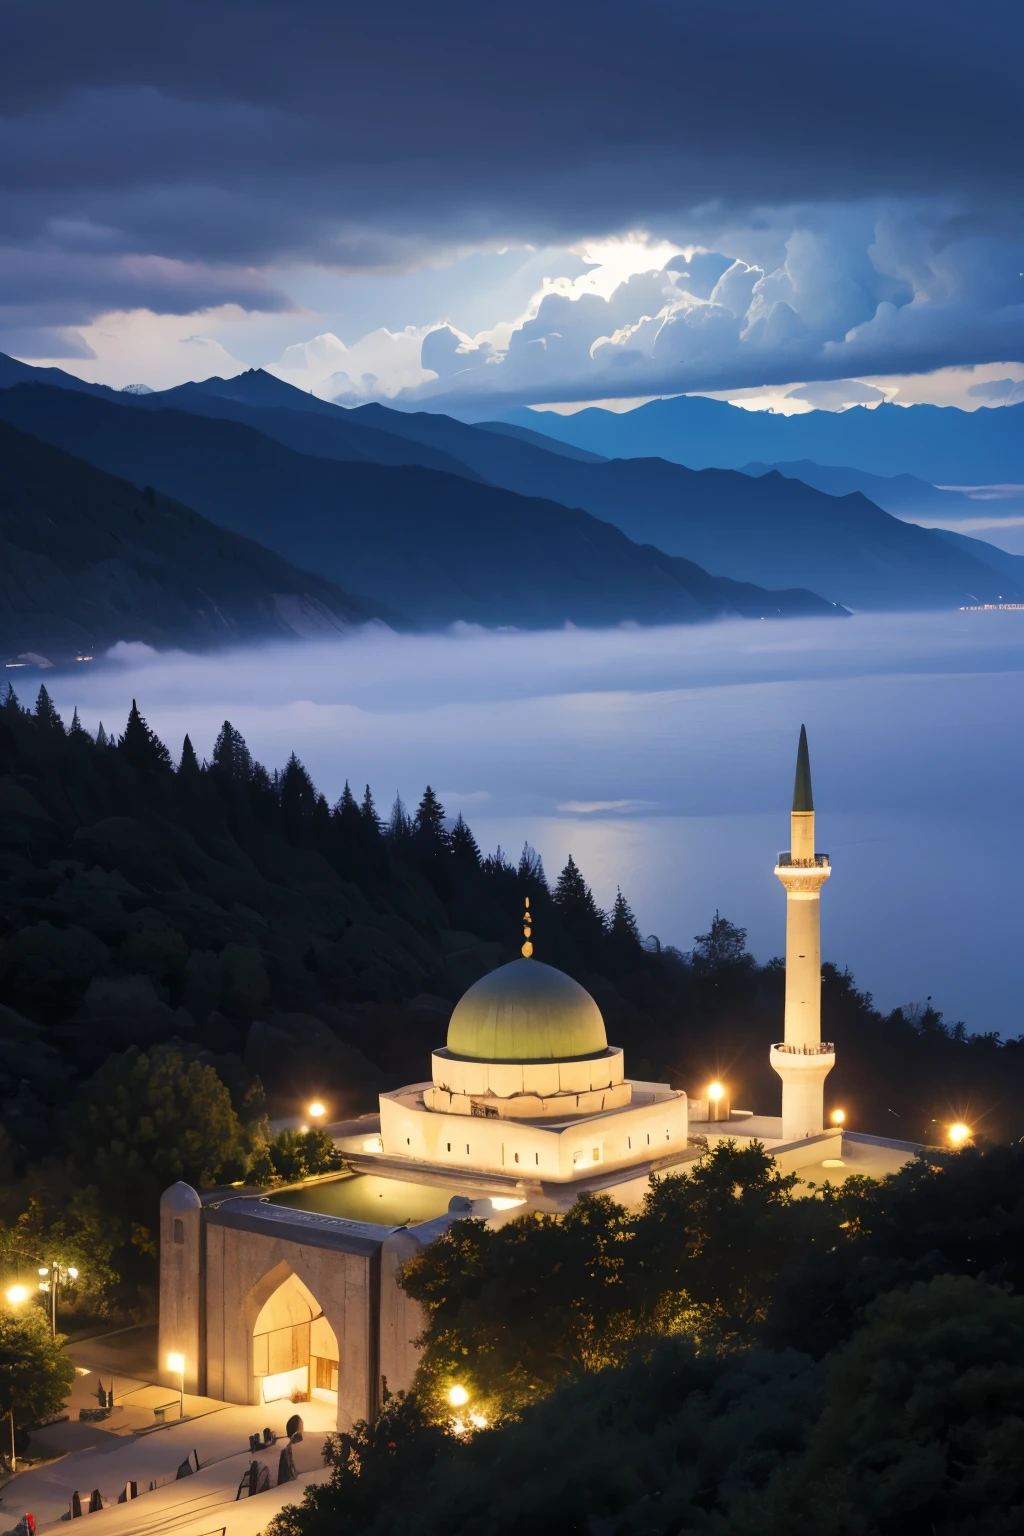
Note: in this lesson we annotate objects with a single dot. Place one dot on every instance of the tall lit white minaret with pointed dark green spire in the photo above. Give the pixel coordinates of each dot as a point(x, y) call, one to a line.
point(802, 1061)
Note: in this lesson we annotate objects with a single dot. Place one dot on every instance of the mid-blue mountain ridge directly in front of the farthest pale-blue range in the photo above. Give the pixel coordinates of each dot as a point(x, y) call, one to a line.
point(775, 532)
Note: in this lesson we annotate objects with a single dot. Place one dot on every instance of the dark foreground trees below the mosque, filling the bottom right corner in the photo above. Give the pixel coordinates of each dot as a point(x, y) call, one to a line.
point(693, 1415)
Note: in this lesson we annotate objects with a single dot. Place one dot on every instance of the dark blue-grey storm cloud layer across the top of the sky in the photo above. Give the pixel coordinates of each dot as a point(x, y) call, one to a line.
point(230, 130)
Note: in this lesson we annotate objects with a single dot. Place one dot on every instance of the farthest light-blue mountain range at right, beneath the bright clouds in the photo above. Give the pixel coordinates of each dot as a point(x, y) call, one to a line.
point(939, 445)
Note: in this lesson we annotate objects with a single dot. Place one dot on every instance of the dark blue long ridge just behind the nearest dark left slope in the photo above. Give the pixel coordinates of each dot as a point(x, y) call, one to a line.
point(434, 548)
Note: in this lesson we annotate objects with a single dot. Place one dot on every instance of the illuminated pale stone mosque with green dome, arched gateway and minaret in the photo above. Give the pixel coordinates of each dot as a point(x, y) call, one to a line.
point(296, 1296)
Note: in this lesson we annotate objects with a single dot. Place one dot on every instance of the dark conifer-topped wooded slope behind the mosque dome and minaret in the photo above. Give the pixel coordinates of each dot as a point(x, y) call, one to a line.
point(231, 916)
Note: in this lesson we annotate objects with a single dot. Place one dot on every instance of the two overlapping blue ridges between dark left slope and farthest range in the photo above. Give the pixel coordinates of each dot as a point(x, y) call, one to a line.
point(431, 520)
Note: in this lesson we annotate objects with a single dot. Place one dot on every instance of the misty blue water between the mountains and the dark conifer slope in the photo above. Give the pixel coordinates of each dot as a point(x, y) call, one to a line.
point(664, 761)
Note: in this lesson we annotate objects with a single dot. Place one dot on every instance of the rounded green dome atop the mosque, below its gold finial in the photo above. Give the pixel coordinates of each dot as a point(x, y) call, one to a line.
point(527, 1011)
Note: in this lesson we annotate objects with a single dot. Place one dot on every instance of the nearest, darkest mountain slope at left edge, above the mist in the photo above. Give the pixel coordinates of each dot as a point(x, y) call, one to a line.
point(88, 560)
